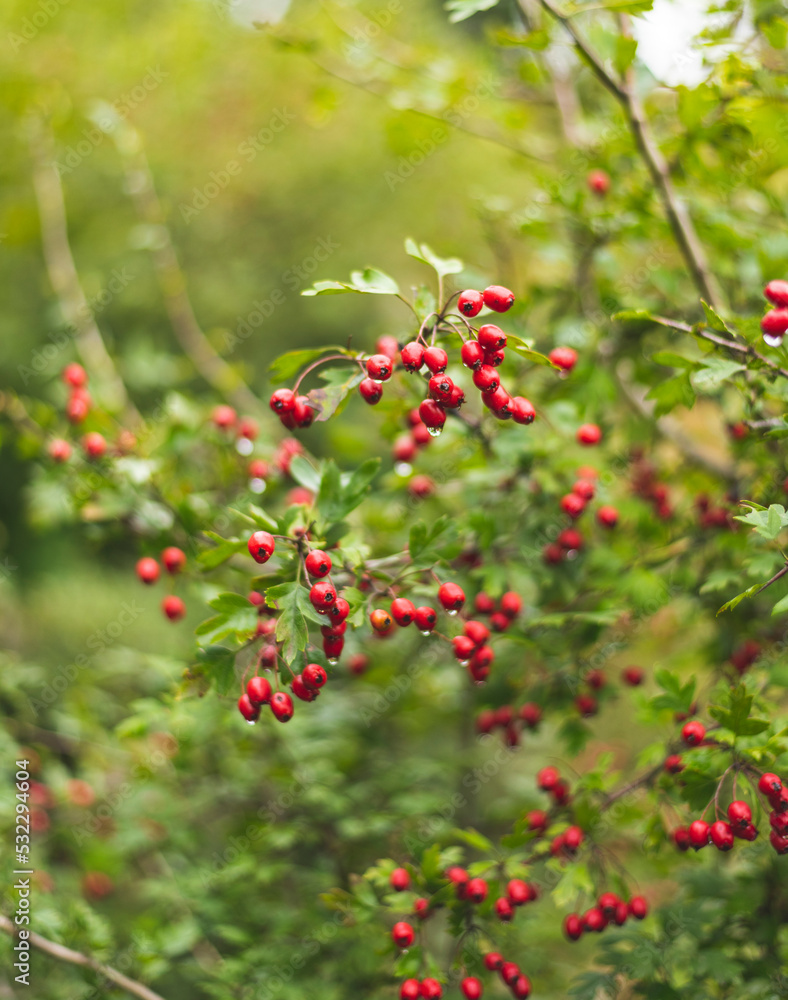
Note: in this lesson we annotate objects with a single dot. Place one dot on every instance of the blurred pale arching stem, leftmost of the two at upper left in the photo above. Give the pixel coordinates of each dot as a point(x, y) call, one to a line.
point(63, 274)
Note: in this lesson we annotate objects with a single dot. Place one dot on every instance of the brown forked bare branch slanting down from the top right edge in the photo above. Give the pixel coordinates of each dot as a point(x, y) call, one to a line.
point(678, 217)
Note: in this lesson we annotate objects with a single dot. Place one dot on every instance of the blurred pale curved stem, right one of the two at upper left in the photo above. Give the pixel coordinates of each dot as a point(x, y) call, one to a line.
point(172, 281)
